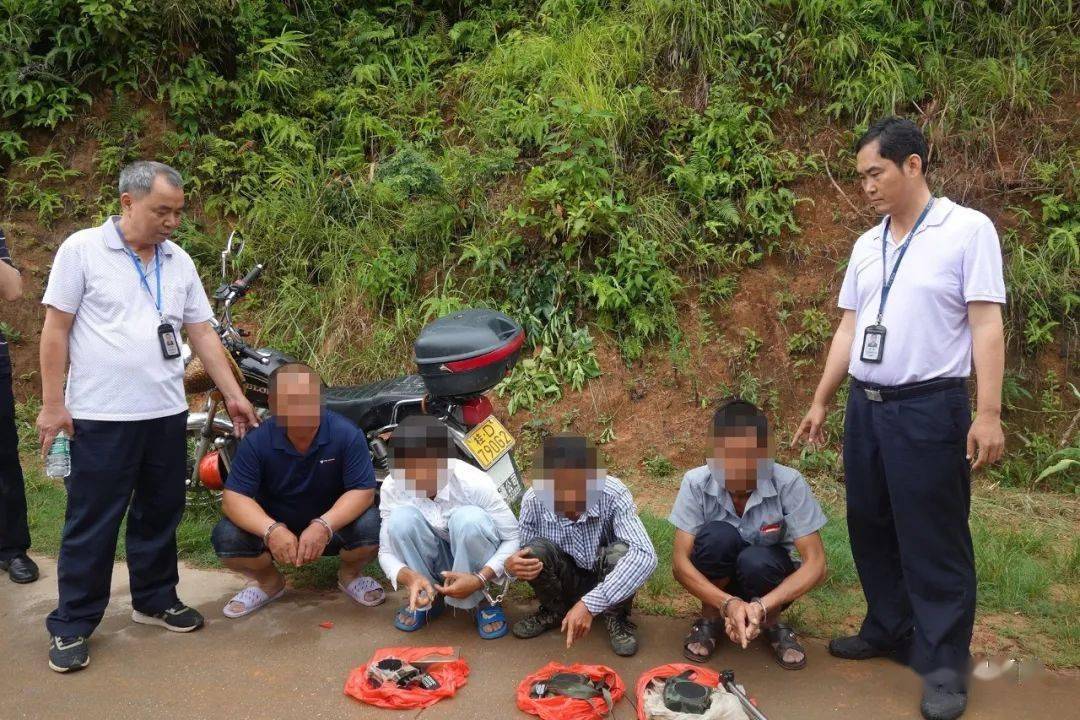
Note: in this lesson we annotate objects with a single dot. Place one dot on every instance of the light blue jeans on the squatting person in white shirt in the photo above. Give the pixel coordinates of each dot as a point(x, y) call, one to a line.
point(474, 541)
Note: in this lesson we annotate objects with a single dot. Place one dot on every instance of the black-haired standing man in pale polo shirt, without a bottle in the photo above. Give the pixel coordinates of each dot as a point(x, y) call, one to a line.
point(922, 298)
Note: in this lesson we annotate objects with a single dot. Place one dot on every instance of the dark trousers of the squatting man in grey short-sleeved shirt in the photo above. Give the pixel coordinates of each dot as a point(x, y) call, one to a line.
point(752, 572)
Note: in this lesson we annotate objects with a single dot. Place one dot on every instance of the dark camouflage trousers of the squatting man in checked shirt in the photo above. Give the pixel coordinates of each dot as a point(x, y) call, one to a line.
point(562, 583)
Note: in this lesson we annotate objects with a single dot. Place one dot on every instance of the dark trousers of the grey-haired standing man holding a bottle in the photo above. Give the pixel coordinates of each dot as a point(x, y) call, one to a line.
point(138, 468)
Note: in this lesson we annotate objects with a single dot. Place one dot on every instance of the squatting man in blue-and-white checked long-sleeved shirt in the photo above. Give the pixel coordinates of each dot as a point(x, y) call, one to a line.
point(585, 550)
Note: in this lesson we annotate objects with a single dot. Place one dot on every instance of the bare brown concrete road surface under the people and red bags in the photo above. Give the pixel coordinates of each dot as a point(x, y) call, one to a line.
point(279, 663)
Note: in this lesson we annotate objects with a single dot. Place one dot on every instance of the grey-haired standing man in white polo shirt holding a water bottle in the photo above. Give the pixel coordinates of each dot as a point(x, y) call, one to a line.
point(118, 296)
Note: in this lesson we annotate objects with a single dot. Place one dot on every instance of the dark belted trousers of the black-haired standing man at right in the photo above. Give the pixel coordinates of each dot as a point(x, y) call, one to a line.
point(909, 488)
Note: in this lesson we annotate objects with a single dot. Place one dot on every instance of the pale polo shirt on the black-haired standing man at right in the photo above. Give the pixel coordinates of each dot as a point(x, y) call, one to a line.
point(955, 259)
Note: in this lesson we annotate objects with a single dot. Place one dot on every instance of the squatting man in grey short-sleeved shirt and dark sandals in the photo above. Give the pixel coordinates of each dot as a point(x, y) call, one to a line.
point(737, 521)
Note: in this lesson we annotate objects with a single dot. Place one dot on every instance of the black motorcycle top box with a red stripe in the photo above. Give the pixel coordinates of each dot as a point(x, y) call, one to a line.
point(468, 354)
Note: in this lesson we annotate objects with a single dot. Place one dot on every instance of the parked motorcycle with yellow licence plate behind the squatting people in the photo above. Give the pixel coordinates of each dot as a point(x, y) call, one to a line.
point(461, 359)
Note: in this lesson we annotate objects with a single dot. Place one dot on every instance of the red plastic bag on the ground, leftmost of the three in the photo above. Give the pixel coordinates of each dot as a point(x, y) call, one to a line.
point(451, 676)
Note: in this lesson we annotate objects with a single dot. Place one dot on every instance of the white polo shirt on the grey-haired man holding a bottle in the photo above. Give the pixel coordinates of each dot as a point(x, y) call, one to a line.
point(117, 371)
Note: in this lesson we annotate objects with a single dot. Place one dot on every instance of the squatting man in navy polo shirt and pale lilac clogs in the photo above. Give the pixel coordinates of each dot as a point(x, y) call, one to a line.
point(302, 486)
